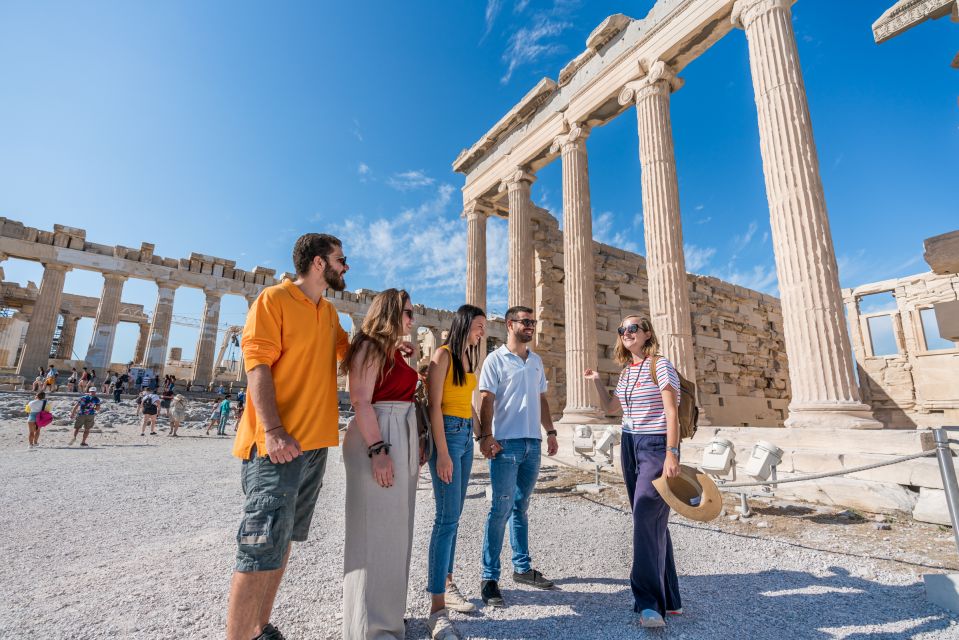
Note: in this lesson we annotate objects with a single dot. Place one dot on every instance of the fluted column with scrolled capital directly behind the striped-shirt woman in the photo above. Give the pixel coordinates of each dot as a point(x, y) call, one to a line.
point(669, 309)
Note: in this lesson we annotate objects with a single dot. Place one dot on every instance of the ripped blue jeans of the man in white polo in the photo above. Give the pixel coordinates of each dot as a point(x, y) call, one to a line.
point(512, 474)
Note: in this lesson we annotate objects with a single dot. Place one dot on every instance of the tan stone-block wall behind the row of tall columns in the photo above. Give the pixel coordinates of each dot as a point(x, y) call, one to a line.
point(740, 353)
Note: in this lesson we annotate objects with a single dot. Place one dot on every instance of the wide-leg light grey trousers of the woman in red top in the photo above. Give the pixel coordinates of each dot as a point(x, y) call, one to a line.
point(379, 527)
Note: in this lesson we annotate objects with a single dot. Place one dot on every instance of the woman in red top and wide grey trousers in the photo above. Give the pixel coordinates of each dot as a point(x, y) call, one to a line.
point(381, 456)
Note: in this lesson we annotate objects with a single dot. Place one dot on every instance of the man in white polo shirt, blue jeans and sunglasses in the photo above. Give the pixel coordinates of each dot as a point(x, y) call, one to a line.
point(513, 387)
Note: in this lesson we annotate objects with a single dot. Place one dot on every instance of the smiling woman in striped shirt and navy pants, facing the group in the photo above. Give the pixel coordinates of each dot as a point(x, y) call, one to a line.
point(650, 448)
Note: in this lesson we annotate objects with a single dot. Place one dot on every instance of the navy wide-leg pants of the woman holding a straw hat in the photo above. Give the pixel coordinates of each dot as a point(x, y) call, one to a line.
point(653, 577)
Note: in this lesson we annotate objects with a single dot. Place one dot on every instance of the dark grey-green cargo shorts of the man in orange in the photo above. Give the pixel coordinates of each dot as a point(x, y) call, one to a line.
point(280, 499)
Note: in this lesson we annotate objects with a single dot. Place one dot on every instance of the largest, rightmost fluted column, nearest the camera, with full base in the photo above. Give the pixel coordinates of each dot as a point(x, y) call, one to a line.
point(824, 390)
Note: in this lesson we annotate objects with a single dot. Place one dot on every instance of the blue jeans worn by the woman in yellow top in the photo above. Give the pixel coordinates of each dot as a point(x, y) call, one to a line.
point(449, 500)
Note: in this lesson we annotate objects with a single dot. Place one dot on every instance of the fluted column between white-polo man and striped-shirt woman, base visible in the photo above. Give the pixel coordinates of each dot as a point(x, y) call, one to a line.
point(579, 287)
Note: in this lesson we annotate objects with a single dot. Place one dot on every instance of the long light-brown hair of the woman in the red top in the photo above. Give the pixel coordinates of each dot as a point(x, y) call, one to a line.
point(382, 329)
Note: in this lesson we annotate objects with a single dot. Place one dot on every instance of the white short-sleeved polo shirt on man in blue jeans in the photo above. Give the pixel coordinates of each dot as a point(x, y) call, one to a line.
point(517, 385)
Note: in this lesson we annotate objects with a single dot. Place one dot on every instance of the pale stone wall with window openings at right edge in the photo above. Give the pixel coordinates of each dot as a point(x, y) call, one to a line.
point(917, 386)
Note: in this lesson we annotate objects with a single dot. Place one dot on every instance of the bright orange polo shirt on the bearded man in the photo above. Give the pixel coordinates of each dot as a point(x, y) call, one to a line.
point(300, 342)
